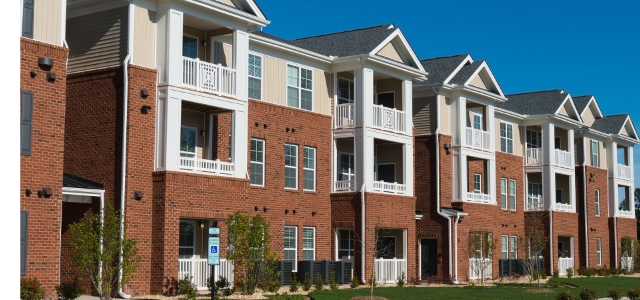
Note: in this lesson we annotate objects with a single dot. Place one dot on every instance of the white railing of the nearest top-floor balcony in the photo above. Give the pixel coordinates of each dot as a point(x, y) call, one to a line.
point(208, 77)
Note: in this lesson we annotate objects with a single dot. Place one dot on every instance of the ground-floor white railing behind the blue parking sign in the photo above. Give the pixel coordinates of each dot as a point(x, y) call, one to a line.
point(199, 271)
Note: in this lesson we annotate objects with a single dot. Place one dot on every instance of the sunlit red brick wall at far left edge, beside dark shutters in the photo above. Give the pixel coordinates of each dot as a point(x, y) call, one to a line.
point(44, 167)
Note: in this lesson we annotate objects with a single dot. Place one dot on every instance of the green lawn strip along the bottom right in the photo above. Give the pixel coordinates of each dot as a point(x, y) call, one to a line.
point(599, 284)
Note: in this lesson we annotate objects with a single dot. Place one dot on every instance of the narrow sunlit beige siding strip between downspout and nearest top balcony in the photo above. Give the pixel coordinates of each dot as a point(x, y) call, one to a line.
point(144, 37)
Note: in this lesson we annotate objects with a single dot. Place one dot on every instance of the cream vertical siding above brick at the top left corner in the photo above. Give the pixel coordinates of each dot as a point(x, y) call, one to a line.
point(47, 21)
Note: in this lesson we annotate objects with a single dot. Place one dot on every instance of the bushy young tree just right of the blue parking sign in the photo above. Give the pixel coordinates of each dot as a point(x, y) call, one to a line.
point(253, 261)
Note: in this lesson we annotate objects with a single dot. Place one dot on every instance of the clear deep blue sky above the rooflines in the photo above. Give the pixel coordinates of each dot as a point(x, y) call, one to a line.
point(583, 47)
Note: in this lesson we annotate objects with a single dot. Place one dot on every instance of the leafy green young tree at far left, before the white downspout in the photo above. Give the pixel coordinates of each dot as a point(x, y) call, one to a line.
point(96, 247)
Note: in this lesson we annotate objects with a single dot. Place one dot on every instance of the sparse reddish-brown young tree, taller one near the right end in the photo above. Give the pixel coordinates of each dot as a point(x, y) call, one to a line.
point(533, 243)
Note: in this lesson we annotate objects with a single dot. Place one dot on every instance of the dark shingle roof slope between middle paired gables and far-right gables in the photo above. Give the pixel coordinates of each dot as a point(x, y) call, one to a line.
point(534, 103)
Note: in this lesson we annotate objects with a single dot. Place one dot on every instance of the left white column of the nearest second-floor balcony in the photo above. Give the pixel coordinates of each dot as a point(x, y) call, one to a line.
point(173, 125)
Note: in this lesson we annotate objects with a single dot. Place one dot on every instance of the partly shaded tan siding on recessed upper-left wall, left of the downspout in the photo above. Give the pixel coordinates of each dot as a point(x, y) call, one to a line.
point(97, 40)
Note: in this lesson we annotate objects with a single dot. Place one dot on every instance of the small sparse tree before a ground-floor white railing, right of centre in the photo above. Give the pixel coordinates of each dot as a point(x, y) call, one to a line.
point(481, 247)
